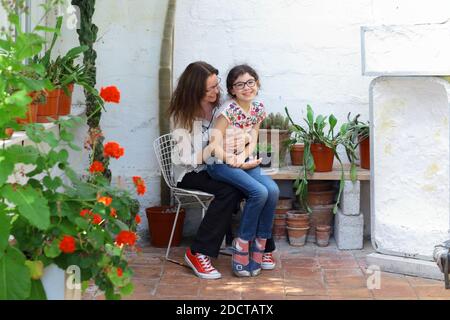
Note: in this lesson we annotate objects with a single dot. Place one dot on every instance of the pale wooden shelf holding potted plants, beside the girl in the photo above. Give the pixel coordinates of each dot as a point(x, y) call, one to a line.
point(292, 172)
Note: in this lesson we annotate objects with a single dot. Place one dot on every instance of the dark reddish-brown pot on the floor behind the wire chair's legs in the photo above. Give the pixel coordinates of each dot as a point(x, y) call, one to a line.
point(160, 221)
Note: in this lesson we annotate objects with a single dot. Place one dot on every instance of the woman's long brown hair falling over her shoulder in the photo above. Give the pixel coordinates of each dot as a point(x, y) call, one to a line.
point(185, 103)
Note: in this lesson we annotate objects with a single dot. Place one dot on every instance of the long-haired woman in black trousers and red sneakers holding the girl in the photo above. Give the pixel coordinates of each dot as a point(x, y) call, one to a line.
point(192, 109)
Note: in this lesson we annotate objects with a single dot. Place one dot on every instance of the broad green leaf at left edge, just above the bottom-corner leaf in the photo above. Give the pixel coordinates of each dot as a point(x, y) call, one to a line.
point(30, 204)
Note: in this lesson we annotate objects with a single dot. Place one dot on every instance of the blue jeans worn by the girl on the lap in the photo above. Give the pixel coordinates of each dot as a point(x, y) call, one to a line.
point(262, 196)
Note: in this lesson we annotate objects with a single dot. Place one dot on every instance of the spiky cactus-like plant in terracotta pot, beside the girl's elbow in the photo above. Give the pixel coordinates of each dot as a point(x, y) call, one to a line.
point(276, 124)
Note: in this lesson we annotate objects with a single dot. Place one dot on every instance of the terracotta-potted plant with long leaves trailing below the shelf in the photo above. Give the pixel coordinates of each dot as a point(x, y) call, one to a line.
point(320, 142)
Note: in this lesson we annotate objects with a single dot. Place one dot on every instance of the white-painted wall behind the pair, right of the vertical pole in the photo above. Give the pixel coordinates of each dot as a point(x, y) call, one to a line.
point(306, 51)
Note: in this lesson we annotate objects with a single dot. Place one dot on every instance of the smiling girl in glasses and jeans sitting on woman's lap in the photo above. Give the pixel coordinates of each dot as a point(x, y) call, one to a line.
point(244, 113)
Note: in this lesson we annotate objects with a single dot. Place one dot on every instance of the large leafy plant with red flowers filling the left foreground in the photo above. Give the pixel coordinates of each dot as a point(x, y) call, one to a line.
point(58, 217)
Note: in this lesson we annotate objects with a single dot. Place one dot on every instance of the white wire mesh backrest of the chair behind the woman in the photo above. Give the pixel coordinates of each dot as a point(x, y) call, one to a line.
point(163, 148)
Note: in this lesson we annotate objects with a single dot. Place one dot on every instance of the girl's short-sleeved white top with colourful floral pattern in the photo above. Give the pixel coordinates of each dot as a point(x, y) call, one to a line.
point(238, 118)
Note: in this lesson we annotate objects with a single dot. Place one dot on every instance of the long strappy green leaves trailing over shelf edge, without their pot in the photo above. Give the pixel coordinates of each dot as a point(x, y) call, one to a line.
point(320, 129)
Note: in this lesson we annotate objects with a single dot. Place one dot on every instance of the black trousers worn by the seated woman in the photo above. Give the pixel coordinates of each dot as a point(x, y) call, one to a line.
point(217, 220)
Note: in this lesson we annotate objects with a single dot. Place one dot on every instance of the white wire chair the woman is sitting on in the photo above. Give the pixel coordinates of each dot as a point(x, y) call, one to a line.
point(164, 146)
